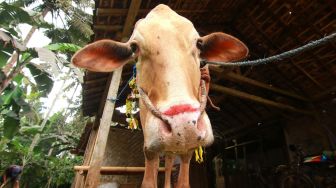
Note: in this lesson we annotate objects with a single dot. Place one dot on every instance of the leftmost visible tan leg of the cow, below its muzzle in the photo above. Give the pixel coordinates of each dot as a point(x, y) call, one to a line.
point(151, 170)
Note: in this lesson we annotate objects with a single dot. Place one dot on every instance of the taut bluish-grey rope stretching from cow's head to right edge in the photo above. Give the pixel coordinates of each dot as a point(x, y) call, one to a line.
point(276, 58)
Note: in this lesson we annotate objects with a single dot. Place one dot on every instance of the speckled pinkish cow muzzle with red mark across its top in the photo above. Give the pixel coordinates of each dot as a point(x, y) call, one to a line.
point(186, 129)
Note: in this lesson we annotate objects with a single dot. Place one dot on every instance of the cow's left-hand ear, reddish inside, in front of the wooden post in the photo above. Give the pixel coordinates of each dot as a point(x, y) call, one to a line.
point(103, 56)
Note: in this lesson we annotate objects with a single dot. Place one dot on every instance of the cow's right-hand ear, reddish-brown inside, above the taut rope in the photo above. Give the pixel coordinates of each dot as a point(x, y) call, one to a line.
point(221, 47)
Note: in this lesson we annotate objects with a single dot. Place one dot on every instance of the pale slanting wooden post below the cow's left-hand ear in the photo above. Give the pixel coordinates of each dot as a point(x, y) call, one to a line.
point(93, 176)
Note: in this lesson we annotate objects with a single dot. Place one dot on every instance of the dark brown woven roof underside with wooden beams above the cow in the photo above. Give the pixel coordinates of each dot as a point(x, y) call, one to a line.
point(267, 28)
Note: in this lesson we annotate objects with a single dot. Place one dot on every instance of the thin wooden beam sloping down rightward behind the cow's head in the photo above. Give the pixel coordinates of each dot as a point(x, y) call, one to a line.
point(257, 99)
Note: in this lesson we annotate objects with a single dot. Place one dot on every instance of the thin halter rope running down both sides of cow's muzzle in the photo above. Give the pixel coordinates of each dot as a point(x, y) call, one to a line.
point(157, 113)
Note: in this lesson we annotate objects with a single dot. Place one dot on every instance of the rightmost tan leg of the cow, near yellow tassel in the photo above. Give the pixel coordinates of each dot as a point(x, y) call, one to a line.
point(183, 179)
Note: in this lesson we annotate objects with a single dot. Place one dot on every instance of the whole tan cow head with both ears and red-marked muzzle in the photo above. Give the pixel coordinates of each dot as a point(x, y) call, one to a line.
point(168, 50)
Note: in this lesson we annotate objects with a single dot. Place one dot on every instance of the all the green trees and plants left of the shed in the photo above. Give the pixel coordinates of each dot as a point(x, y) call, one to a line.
point(50, 161)
